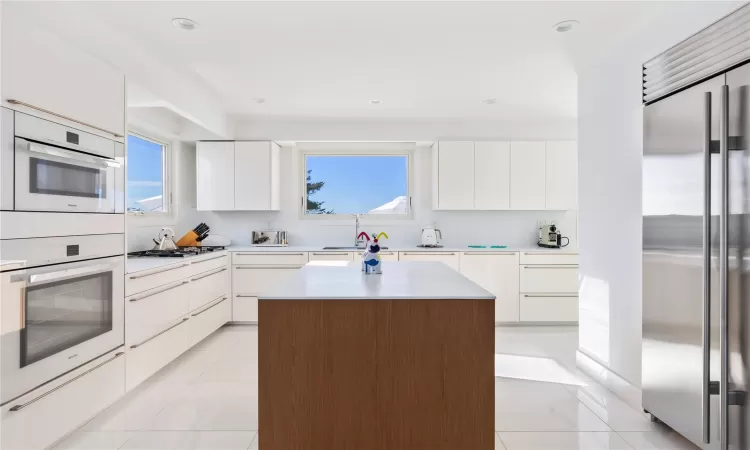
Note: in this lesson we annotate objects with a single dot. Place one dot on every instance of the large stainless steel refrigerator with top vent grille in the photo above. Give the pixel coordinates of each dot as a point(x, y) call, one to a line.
point(696, 236)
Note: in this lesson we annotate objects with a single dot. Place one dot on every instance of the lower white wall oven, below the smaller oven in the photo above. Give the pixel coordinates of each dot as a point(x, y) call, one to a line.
point(62, 305)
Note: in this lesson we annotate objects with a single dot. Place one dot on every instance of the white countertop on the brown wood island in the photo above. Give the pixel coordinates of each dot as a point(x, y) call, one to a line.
point(332, 280)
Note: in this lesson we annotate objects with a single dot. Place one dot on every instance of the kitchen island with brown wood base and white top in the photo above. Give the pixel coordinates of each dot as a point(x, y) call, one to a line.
point(397, 361)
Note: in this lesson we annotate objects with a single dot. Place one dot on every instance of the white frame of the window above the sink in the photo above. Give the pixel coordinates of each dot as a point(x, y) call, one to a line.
point(302, 178)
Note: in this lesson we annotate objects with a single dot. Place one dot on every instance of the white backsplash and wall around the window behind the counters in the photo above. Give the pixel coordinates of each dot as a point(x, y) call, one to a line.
point(459, 228)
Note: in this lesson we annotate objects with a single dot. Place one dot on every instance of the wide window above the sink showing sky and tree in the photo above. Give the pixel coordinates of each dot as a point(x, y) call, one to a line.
point(340, 184)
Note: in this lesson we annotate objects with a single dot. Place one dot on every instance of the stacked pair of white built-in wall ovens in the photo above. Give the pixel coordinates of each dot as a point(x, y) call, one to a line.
point(61, 280)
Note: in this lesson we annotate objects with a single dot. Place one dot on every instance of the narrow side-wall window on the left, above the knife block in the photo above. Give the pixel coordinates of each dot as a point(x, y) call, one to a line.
point(148, 181)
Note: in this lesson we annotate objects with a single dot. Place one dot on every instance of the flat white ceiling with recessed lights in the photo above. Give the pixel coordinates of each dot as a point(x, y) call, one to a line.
point(425, 60)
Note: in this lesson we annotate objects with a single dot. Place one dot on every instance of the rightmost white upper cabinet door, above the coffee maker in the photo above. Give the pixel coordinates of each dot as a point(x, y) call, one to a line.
point(562, 175)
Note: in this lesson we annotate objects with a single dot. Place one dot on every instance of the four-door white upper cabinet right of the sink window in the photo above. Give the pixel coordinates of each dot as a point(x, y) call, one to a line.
point(491, 176)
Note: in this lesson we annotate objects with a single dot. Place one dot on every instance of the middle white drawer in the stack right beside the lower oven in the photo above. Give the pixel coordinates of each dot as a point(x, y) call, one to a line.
point(151, 311)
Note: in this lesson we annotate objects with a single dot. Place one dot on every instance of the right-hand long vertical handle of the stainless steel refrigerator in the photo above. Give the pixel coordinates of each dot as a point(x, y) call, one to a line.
point(724, 271)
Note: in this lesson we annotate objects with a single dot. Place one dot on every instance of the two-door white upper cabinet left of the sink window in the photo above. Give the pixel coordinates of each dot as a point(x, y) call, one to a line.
point(238, 176)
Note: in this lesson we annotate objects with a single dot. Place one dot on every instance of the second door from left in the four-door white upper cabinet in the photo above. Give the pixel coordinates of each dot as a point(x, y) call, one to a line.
point(491, 175)
